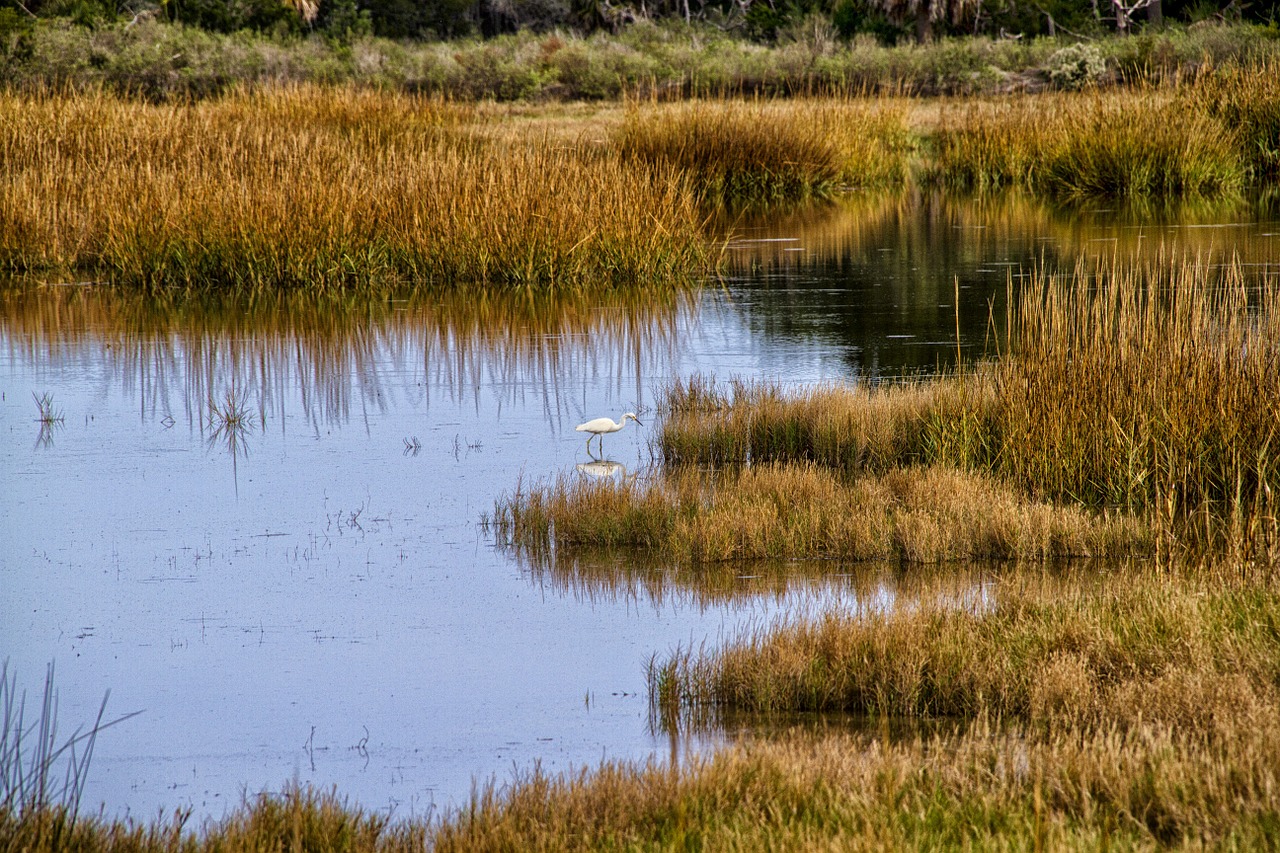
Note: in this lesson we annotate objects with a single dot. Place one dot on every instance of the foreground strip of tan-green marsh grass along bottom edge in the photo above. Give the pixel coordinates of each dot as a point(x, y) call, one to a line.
point(1149, 788)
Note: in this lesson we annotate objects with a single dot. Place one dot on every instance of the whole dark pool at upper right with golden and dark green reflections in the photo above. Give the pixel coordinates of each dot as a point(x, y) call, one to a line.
point(879, 277)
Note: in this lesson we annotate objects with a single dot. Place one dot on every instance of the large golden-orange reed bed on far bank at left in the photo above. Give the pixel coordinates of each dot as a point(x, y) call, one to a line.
point(327, 189)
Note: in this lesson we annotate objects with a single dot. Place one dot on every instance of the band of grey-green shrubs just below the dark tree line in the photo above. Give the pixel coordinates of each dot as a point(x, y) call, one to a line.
point(661, 57)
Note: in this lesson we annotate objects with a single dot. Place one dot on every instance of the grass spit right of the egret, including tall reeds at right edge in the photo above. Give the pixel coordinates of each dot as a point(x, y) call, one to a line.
point(1154, 389)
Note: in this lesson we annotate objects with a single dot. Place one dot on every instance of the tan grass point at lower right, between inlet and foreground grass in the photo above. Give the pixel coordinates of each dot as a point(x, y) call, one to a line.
point(1194, 654)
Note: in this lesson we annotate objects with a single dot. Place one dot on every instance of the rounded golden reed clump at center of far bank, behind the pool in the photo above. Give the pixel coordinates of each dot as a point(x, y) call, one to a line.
point(742, 152)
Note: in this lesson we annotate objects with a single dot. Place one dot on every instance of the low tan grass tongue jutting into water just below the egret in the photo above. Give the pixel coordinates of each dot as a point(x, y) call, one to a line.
point(788, 512)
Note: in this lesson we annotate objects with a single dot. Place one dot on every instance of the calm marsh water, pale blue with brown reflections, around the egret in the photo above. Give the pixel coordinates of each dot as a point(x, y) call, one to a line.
point(314, 595)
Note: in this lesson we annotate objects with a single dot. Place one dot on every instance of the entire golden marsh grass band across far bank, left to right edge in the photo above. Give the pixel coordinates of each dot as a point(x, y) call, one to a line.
point(340, 188)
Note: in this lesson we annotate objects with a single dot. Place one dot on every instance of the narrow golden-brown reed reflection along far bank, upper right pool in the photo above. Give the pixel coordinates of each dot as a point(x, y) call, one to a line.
point(924, 235)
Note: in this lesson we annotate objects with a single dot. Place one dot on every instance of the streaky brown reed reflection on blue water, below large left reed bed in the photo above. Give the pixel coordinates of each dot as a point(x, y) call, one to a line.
point(333, 354)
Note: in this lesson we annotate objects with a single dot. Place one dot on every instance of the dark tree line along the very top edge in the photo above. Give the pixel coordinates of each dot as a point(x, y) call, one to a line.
point(889, 21)
